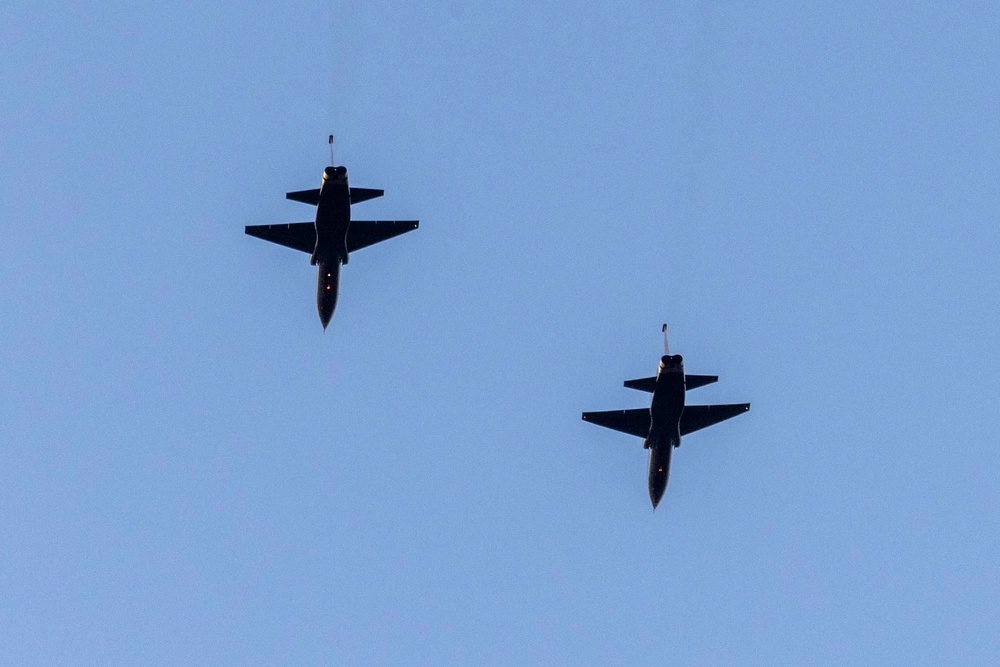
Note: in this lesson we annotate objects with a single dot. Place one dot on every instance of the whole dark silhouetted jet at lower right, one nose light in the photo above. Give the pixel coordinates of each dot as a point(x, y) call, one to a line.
point(667, 418)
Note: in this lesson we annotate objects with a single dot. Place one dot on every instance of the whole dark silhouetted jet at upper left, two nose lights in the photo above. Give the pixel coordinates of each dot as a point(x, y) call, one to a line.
point(333, 235)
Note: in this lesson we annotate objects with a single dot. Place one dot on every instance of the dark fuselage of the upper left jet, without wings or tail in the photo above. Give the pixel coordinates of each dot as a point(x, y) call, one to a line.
point(333, 219)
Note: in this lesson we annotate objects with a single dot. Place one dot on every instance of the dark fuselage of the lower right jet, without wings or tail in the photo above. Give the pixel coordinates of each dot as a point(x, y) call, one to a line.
point(664, 423)
